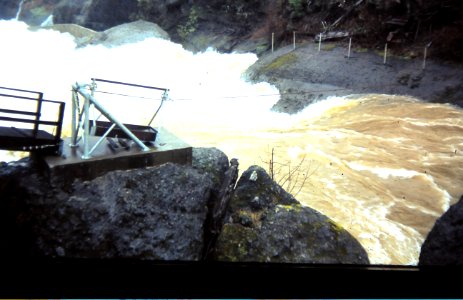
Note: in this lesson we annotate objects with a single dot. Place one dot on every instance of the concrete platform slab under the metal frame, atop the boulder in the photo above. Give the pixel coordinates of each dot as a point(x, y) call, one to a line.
point(70, 165)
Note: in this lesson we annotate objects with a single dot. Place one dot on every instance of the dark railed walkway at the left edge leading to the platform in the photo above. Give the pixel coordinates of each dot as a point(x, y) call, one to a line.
point(21, 124)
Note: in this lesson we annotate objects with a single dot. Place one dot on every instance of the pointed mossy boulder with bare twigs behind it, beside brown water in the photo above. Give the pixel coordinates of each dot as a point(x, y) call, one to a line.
point(266, 224)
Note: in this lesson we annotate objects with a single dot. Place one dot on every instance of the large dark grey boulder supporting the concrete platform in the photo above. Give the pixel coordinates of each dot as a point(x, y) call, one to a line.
point(155, 213)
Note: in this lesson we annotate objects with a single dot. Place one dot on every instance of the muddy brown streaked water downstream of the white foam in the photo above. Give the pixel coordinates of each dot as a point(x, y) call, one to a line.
point(384, 167)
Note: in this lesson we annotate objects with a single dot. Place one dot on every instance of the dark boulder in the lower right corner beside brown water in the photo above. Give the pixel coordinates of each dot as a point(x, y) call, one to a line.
point(444, 243)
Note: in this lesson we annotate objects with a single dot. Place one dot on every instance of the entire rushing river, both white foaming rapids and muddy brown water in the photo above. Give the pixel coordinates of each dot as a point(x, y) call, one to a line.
point(384, 167)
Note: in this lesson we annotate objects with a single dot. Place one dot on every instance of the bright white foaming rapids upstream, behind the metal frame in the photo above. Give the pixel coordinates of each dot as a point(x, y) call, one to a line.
point(204, 88)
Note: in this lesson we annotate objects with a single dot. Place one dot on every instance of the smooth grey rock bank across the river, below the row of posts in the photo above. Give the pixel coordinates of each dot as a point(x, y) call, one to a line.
point(305, 75)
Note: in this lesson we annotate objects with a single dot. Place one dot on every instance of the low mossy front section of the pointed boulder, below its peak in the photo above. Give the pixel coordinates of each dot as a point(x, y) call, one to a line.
point(299, 235)
